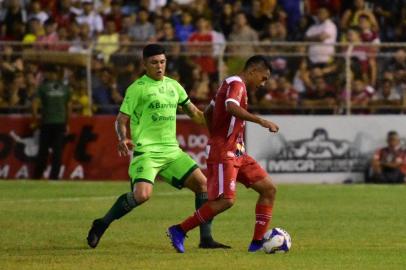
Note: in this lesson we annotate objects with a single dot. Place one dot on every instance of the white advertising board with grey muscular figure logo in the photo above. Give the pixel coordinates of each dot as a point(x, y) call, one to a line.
point(321, 149)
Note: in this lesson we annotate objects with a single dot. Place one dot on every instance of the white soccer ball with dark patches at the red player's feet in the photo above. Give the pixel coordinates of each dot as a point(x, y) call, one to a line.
point(277, 240)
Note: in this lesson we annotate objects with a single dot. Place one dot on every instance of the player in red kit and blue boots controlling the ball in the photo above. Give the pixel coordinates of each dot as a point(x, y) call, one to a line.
point(227, 161)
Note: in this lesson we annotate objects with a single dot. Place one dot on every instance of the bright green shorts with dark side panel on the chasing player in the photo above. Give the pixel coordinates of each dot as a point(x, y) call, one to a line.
point(172, 167)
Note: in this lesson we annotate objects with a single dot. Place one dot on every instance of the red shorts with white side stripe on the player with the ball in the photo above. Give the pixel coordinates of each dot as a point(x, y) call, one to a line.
point(222, 176)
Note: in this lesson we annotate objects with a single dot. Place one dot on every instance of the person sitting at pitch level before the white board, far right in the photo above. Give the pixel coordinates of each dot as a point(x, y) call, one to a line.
point(388, 163)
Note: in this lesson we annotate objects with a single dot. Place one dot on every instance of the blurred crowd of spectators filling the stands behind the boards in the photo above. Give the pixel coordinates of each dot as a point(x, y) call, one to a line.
point(305, 79)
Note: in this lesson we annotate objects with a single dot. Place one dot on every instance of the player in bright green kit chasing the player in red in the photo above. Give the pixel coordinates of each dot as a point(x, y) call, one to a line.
point(149, 107)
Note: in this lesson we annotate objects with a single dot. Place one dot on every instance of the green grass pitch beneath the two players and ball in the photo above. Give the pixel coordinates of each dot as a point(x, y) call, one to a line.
point(43, 225)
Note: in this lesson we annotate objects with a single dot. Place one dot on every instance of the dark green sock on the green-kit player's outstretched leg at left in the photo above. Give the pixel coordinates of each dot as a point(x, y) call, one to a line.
point(124, 204)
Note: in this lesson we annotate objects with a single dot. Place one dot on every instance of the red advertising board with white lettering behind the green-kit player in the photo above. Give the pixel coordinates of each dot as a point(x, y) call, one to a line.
point(90, 150)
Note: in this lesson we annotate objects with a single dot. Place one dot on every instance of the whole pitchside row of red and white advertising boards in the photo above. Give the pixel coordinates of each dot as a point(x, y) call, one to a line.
point(308, 149)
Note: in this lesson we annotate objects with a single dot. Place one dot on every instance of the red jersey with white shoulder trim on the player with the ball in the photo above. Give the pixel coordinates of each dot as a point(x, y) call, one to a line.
point(226, 131)
